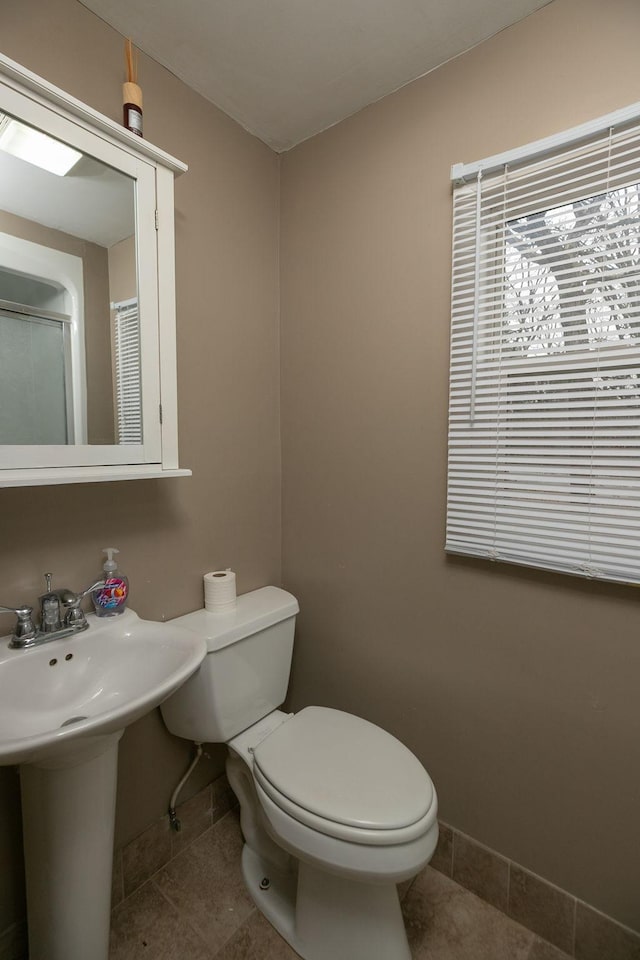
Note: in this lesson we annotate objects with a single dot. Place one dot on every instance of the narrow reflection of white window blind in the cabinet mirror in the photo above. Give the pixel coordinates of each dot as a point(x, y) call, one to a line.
point(127, 371)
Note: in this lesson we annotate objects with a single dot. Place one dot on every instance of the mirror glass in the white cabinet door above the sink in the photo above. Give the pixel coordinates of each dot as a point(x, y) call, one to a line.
point(69, 336)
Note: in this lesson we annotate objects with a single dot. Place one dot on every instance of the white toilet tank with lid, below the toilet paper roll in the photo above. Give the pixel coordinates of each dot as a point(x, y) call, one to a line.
point(244, 675)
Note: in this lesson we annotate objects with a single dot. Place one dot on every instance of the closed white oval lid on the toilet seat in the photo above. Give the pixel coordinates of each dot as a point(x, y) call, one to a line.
point(346, 770)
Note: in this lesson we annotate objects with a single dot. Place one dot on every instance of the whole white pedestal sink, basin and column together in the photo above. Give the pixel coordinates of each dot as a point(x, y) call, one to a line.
point(63, 708)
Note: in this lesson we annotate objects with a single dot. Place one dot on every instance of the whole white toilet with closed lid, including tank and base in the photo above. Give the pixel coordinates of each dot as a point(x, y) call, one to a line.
point(334, 810)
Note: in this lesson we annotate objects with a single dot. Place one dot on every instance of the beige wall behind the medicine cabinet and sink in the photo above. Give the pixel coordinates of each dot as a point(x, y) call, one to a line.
point(228, 514)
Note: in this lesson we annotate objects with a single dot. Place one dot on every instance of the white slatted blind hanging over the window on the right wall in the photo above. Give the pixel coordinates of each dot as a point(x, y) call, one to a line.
point(544, 417)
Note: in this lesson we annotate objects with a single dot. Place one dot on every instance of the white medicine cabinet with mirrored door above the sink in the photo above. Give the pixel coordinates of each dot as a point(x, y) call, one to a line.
point(87, 293)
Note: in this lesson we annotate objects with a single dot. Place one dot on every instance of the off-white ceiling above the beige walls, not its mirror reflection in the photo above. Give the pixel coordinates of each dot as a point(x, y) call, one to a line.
point(287, 69)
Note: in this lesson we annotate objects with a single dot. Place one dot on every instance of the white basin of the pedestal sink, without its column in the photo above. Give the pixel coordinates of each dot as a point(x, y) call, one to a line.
point(56, 697)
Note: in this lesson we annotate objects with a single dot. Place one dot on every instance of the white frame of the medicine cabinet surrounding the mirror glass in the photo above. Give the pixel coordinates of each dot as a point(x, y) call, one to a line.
point(32, 99)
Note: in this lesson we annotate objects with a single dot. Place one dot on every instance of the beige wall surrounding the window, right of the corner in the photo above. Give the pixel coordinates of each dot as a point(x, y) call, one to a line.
point(518, 690)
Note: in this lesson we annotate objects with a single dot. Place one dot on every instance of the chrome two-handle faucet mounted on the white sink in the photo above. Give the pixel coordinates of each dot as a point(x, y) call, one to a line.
point(61, 615)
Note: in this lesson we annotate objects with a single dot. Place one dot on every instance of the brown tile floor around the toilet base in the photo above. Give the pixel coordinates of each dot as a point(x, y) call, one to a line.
point(196, 908)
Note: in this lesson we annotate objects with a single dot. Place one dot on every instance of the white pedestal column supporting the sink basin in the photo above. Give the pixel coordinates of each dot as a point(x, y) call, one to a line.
point(68, 811)
